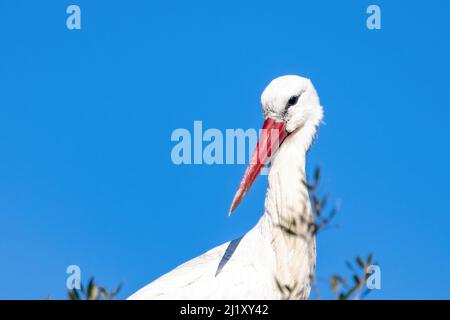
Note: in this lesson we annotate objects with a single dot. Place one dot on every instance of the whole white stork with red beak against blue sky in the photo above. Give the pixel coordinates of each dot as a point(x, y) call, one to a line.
point(267, 260)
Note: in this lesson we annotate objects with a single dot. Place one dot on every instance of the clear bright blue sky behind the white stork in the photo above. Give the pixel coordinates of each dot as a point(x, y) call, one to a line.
point(86, 117)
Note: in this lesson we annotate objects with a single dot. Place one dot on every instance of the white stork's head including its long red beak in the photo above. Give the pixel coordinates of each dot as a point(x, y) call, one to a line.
point(290, 104)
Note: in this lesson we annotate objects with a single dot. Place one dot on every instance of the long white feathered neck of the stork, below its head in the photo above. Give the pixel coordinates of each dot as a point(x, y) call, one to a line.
point(287, 205)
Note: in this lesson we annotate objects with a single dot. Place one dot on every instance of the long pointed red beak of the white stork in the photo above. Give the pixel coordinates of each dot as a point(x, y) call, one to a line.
point(272, 136)
